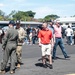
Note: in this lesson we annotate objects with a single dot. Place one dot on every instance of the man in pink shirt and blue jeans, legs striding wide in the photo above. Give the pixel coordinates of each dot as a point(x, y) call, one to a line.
point(58, 41)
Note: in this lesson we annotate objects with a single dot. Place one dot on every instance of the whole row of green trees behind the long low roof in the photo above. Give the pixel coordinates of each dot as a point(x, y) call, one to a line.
point(25, 16)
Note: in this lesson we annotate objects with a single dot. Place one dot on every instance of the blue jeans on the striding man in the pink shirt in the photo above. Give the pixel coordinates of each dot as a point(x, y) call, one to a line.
point(59, 42)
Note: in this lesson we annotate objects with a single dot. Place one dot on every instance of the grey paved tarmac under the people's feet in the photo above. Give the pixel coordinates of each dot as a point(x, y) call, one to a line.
point(32, 66)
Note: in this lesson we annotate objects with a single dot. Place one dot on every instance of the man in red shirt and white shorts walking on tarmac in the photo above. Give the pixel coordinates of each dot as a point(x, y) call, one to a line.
point(45, 40)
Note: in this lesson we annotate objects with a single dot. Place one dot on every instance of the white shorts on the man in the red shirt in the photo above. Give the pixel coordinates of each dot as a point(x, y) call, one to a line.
point(46, 49)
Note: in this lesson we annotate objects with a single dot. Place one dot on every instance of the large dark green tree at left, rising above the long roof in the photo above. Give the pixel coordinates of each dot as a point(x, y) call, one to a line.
point(24, 16)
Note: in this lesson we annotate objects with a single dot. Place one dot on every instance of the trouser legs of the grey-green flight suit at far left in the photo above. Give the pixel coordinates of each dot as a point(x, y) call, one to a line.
point(9, 52)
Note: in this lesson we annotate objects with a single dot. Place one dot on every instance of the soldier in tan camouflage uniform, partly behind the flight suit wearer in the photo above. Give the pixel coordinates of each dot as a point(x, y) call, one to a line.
point(22, 34)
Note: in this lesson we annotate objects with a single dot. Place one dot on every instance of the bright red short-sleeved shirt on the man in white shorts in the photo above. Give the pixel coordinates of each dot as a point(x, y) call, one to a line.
point(45, 36)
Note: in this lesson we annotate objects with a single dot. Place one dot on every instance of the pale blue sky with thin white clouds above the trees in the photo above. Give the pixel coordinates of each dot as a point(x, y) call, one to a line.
point(62, 8)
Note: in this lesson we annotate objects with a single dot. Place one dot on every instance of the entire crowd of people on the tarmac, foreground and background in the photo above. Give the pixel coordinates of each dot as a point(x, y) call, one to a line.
point(48, 36)
